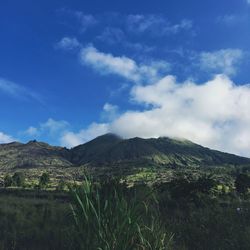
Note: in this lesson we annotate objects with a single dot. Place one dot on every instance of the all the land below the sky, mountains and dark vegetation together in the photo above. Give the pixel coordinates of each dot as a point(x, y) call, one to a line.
point(113, 194)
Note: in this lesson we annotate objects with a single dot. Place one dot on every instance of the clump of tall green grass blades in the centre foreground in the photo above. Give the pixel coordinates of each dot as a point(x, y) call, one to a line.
point(109, 216)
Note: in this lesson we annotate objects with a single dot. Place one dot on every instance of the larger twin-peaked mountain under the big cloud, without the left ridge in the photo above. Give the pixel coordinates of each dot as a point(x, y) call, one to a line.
point(112, 150)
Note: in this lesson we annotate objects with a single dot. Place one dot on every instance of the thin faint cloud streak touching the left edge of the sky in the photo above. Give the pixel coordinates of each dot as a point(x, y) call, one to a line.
point(17, 91)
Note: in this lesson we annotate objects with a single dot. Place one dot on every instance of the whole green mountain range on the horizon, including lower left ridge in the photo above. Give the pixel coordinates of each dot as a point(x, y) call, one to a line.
point(112, 150)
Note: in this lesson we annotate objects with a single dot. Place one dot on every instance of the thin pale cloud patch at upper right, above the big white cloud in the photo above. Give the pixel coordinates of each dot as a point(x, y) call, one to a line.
point(221, 61)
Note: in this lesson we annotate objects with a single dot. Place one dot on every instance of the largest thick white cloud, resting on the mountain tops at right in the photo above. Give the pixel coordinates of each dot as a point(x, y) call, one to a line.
point(214, 114)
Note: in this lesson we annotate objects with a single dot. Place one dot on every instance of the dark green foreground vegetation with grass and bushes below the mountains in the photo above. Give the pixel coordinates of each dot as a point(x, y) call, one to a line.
point(184, 209)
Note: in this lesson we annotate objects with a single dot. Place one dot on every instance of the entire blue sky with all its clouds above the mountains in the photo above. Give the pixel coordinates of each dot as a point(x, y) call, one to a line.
point(74, 70)
